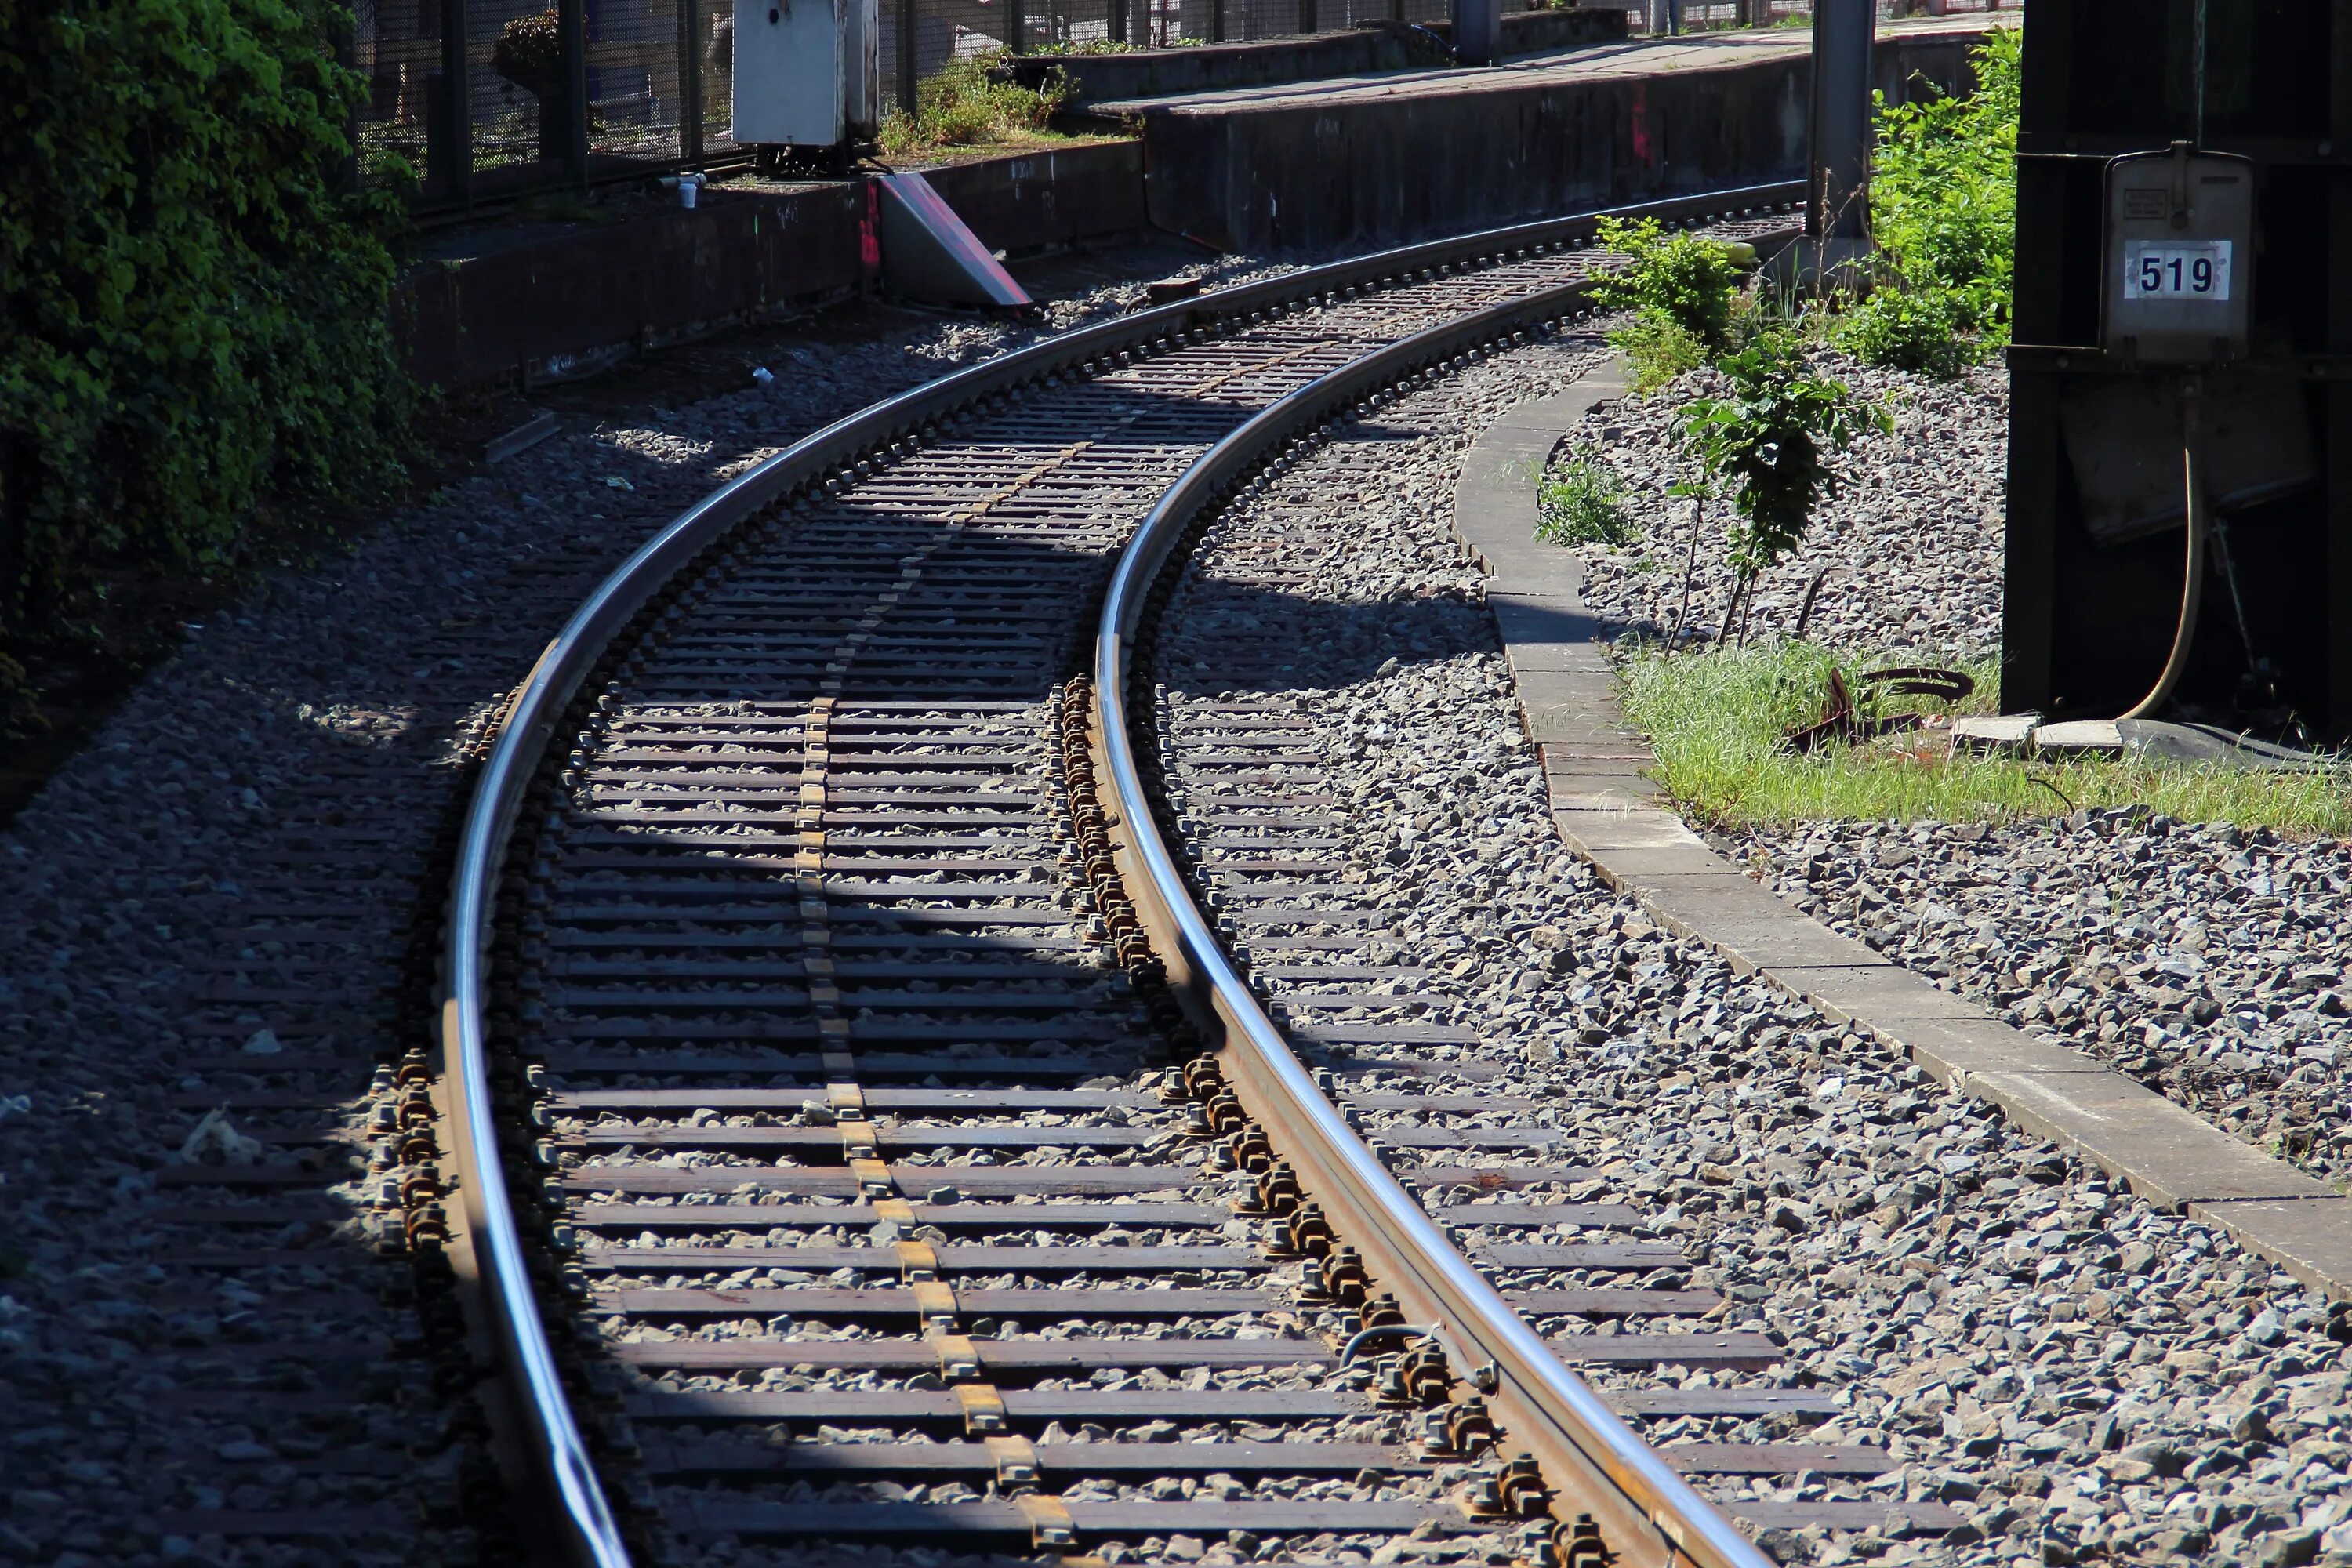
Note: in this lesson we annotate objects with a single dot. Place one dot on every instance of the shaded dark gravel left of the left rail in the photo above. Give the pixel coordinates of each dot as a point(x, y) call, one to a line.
point(229, 873)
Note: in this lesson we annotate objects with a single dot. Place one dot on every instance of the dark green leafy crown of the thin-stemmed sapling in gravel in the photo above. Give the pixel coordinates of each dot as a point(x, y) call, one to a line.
point(1770, 445)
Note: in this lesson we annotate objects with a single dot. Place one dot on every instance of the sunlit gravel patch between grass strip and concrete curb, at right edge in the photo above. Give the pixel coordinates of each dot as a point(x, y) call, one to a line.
point(2205, 963)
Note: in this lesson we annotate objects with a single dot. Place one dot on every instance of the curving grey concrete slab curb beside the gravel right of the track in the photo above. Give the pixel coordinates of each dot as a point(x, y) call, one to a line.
point(1610, 812)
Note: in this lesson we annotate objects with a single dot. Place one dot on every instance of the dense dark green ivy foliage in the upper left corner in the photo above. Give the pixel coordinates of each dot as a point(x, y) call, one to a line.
point(192, 319)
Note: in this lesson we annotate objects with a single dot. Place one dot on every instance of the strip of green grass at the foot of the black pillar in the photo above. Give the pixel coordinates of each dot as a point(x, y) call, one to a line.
point(1718, 723)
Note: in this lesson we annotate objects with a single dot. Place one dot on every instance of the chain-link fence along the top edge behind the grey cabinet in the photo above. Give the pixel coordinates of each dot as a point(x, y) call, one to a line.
point(507, 98)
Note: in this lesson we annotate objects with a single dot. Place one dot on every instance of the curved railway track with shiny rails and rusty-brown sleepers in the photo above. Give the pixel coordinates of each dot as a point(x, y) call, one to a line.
point(867, 1141)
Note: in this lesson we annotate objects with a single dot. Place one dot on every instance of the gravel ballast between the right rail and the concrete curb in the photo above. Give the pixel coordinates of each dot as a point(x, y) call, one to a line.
point(2073, 1372)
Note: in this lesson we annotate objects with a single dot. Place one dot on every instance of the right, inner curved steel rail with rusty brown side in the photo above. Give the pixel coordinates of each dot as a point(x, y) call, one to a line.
point(1542, 1405)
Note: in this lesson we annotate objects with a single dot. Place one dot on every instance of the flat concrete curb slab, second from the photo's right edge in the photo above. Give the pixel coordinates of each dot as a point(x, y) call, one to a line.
point(2165, 1153)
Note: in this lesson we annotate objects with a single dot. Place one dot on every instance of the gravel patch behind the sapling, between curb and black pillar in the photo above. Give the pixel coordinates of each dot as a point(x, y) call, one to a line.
point(1913, 542)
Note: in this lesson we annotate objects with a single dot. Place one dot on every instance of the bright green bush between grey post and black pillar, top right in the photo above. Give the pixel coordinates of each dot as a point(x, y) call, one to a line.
point(1944, 189)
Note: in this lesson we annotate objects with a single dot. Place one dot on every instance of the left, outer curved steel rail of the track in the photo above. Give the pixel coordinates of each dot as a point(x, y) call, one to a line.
point(582, 1525)
